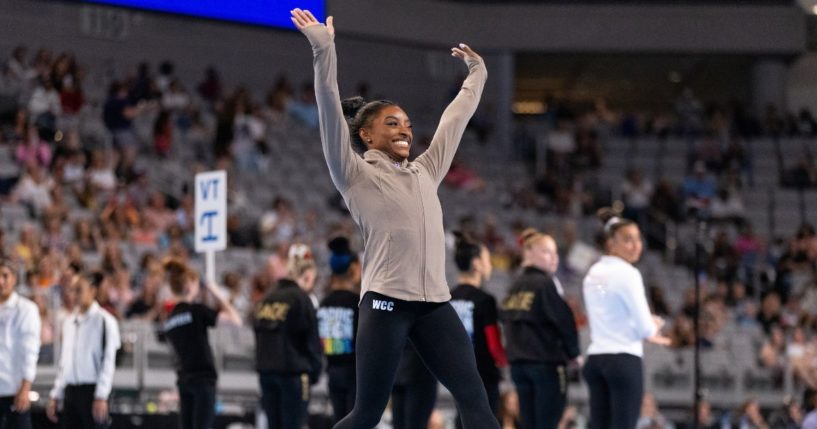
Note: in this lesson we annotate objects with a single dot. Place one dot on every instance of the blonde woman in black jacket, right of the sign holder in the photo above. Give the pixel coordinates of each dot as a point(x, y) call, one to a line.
point(287, 346)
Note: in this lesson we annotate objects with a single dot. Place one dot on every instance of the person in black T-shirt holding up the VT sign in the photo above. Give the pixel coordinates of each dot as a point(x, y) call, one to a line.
point(186, 329)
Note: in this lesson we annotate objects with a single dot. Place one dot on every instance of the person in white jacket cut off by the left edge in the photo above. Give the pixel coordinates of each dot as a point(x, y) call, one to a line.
point(19, 350)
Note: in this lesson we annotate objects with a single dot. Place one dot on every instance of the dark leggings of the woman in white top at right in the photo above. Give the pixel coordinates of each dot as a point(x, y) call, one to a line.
point(616, 384)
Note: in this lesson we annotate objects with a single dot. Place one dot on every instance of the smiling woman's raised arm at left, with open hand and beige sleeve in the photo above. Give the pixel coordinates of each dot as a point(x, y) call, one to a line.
point(342, 161)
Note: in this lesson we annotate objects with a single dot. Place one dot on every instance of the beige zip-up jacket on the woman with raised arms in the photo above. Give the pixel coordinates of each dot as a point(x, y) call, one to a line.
point(395, 204)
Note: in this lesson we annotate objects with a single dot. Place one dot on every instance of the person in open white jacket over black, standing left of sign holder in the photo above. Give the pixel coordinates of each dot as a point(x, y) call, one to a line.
point(90, 338)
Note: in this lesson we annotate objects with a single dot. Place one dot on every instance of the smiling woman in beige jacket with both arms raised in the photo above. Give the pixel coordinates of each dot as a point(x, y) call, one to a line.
point(394, 202)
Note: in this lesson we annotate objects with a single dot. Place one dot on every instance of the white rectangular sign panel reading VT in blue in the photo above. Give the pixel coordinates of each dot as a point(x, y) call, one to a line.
point(211, 211)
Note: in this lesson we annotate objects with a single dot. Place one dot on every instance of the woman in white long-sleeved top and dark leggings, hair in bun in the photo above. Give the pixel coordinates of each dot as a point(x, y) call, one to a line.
point(620, 320)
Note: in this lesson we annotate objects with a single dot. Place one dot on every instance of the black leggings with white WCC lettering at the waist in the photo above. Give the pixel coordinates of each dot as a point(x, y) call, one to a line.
point(437, 333)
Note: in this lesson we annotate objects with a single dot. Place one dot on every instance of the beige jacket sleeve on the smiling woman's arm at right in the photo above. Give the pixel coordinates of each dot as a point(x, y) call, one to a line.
point(437, 159)
